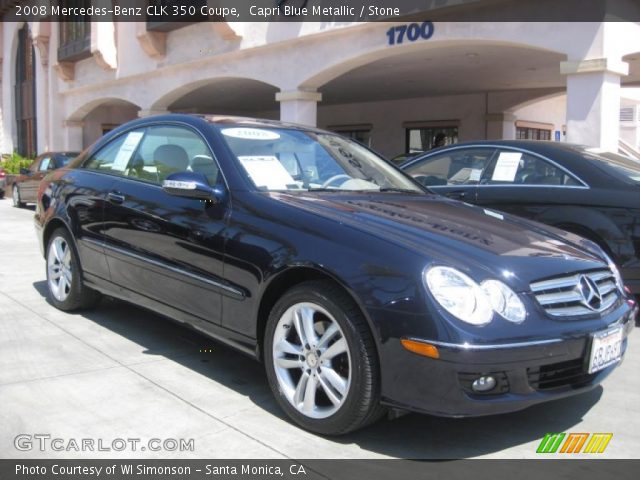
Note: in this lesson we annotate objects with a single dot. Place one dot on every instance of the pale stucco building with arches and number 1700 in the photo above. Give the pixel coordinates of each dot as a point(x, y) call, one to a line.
point(65, 84)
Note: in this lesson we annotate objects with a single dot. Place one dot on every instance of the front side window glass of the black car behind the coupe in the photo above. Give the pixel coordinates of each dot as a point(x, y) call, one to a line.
point(455, 167)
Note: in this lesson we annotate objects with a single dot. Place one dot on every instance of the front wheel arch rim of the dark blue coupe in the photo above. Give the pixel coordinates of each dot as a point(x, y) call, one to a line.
point(290, 277)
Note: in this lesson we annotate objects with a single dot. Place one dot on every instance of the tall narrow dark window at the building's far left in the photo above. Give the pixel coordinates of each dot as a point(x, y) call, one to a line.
point(26, 95)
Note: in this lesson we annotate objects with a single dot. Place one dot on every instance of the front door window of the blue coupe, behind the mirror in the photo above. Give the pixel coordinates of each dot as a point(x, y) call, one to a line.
point(168, 149)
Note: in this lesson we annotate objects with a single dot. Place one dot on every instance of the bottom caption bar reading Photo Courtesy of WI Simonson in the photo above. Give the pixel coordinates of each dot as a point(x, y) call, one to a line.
point(317, 469)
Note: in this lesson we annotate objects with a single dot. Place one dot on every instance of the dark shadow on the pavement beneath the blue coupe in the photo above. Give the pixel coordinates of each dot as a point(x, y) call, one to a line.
point(412, 436)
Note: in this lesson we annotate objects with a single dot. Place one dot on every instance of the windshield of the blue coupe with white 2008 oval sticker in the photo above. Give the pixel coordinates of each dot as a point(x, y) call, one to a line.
point(280, 159)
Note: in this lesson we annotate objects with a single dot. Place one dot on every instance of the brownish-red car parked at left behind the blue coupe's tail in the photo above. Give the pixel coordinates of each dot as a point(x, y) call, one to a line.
point(25, 186)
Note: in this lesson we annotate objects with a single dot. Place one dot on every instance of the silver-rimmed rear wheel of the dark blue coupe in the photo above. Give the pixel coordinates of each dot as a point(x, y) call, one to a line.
point(67, 290)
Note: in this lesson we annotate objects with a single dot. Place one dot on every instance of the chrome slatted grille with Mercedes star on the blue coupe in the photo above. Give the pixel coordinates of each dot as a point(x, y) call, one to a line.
point(583, 293)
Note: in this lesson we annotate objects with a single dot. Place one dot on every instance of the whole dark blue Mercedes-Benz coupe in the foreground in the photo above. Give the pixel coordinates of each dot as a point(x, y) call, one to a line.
point(359, 290)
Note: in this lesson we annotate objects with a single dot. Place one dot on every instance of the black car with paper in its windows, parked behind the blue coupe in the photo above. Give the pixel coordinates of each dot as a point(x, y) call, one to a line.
point(576, 188)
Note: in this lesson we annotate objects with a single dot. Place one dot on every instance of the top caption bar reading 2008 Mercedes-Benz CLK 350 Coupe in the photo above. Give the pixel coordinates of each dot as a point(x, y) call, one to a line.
point(321, 10)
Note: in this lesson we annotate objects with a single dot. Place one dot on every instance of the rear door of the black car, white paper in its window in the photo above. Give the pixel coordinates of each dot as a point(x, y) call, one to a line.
point(527, 184)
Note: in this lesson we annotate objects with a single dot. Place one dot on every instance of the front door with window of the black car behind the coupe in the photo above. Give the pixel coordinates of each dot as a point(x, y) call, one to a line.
point(454, 172)
